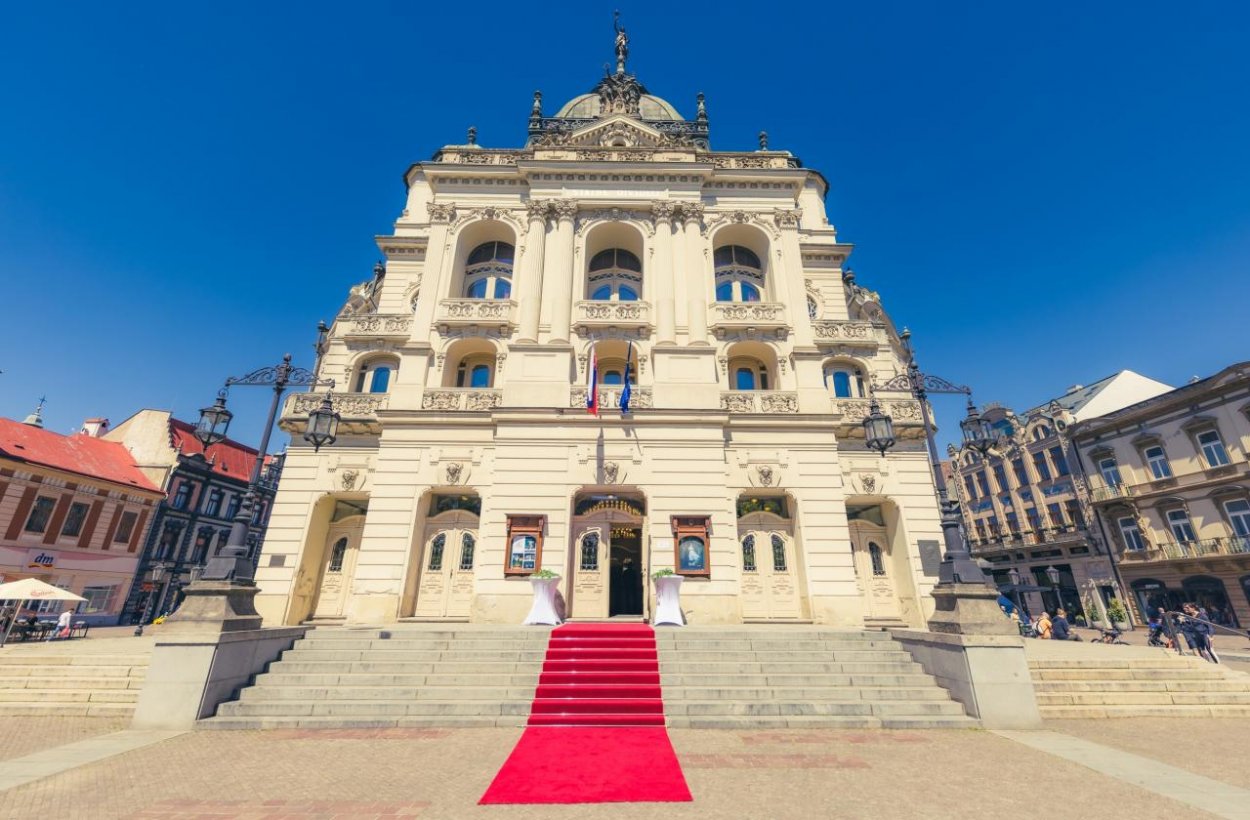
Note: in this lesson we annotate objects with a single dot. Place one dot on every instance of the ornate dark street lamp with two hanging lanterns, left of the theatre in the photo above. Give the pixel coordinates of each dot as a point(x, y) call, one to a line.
point(232, 563)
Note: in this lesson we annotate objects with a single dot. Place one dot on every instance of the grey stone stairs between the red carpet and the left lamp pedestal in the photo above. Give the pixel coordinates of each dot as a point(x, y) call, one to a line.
point(401, 676)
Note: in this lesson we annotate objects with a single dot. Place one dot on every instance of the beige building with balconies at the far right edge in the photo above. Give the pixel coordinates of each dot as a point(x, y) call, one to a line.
point(1171, 483)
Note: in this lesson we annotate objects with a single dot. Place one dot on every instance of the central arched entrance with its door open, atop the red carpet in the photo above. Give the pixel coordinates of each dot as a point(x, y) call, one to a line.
point(609, 557)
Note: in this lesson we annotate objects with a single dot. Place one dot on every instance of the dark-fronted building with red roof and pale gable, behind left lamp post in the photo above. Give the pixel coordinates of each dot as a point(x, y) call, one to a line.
point(203, 494)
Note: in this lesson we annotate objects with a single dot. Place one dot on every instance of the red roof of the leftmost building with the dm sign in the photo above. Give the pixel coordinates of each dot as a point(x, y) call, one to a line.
point(79, 454)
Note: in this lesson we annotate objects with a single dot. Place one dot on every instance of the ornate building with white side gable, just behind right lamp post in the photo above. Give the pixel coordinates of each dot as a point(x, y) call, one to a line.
point(1027, 503)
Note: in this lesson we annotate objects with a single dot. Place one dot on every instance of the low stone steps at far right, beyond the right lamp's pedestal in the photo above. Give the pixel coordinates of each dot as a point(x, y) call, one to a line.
point(1133, 682)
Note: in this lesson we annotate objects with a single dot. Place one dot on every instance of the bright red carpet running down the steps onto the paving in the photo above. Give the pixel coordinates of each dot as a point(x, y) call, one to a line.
point(597, 727)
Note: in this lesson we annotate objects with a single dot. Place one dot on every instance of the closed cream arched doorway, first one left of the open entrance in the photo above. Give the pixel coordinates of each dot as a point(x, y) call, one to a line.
point(449, 553)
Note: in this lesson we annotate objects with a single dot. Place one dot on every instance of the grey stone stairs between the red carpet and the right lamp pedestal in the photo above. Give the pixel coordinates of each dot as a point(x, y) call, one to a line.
point(798, 677)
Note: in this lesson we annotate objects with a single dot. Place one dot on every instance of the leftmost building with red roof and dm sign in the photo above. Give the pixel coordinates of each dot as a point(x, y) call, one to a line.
point(74, 513)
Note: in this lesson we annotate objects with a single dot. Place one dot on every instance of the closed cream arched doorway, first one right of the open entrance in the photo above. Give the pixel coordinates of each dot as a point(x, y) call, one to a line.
point(771, 579)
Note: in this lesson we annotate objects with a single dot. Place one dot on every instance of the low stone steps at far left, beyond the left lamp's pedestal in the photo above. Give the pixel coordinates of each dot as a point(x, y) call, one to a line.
point(36, 681)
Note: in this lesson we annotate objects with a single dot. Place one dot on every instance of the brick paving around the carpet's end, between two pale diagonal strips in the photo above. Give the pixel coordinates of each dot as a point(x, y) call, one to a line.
point(428, 774)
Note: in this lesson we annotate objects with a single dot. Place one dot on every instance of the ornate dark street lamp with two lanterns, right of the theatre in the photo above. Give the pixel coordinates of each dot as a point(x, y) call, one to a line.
point(967, 602)
